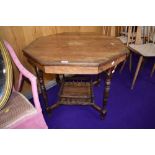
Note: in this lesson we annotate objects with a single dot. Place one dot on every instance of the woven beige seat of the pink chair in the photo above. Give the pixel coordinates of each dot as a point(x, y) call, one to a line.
point(18, 108)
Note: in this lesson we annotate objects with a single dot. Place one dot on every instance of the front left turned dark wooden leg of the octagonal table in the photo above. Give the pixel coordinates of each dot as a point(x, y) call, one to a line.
point(40, 77)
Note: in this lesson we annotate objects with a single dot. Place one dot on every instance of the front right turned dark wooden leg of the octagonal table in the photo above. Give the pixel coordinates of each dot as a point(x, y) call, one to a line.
point(107, 90)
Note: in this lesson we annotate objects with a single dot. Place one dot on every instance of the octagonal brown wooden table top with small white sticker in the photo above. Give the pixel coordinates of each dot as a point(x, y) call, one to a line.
point(71, 53)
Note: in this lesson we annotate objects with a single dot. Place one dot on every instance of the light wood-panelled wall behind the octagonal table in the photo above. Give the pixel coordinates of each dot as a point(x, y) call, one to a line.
point(21, 36)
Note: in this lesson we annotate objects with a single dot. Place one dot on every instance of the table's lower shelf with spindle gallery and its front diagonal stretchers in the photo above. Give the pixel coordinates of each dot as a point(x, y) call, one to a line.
point(77, 92)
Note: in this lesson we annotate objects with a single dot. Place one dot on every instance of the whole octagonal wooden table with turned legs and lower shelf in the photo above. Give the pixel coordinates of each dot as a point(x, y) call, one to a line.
point(76, 53)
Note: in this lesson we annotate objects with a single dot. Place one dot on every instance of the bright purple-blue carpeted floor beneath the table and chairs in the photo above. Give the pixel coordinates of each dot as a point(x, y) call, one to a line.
point(126, 108)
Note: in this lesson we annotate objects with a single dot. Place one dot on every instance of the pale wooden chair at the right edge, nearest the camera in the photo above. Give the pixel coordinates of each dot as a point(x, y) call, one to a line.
point(144, 46)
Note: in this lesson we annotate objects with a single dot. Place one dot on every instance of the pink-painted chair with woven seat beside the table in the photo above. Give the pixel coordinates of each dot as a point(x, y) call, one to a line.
point(18, 112)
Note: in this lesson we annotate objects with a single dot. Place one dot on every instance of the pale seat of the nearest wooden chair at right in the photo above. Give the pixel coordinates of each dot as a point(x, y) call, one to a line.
point(147, 50)
